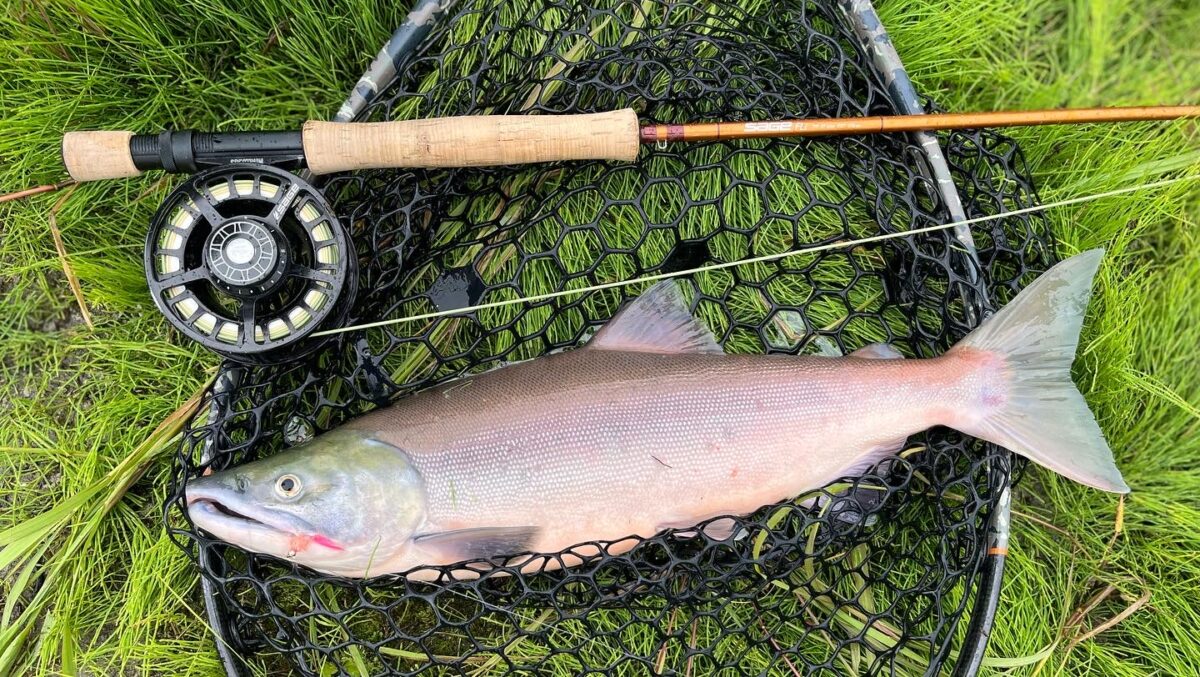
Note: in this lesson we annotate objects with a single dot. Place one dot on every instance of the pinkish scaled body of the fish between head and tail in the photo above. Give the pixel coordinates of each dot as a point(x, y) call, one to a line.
point(602, 446)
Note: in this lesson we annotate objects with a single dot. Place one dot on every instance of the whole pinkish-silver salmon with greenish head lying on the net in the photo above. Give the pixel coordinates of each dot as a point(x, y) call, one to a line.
point(646, 428)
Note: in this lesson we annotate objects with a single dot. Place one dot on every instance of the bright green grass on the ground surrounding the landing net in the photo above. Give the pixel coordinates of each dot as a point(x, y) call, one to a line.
point(80, 404)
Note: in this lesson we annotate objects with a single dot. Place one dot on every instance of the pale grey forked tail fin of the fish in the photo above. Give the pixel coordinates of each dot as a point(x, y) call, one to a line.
point(1042, 416)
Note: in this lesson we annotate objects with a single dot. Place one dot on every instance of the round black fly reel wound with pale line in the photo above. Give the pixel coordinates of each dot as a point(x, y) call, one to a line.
point(250, 261)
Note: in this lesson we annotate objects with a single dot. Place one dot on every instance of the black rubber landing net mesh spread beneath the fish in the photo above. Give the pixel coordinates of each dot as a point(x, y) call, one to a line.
point(879, 579)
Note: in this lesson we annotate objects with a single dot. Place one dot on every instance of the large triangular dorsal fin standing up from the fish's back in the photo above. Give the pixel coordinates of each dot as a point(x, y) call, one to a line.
point(656, 322)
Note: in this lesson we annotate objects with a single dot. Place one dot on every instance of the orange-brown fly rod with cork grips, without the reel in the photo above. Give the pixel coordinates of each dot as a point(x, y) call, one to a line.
point(482, 141)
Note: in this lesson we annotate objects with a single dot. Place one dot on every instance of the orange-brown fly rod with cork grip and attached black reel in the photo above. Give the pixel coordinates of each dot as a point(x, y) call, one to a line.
point(249, 259)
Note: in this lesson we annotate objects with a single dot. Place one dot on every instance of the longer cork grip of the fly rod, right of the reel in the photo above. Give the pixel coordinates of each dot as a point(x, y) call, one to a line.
point(473, 141)
